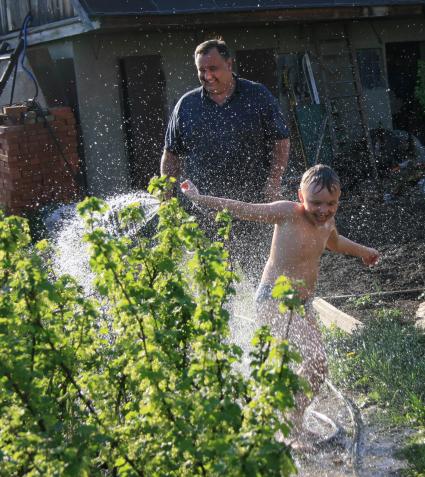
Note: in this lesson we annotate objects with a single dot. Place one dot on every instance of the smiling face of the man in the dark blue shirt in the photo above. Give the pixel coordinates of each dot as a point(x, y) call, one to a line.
point(214, 72)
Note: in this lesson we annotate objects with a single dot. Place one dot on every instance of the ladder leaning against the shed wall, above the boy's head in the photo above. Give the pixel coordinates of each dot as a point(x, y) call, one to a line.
point(343, 96)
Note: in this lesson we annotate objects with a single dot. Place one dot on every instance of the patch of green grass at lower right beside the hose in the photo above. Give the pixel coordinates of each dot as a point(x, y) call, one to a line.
point(386, 360)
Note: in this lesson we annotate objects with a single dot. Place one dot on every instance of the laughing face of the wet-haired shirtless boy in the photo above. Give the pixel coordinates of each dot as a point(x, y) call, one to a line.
point(320, 205)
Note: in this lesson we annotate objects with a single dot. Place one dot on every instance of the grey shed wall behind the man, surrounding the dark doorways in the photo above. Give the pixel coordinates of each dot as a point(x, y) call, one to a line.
point(97, 57)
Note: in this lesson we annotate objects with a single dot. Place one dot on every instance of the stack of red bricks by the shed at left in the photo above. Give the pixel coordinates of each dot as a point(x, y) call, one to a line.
point(33, 170)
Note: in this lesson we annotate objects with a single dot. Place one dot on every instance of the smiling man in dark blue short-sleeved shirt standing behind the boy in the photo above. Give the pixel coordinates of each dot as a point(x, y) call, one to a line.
point(230, 136)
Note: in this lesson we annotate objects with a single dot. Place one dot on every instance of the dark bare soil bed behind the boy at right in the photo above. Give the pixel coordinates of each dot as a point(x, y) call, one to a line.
point(396, 228)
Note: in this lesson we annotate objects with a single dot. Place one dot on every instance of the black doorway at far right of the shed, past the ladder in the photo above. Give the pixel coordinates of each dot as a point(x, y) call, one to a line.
point(402, 67)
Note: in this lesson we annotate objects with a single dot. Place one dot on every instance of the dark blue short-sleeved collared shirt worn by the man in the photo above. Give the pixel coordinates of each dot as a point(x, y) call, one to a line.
point(226, 149)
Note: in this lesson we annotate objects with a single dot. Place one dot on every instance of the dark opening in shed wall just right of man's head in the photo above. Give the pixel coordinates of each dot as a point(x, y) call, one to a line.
point(258, 65)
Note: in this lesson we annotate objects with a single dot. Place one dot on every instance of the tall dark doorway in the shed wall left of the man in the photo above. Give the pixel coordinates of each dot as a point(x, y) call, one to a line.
point(143, 84)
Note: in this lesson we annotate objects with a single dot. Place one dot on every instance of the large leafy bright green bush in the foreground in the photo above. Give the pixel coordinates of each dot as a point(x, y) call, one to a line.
point(138, 380)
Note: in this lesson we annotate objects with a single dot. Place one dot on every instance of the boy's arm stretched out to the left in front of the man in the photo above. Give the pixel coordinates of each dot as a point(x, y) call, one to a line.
point(272, 213)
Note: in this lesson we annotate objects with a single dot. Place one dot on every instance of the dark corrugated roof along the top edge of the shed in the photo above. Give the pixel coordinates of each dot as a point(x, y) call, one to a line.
point(167, 7)
